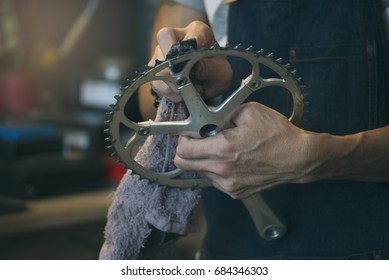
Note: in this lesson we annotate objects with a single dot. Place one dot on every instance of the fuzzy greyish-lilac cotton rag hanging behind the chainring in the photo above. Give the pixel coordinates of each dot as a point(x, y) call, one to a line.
point(144, 218)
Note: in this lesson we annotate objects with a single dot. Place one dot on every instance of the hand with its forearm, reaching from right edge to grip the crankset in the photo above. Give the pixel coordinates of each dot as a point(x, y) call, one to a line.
point(259, 148)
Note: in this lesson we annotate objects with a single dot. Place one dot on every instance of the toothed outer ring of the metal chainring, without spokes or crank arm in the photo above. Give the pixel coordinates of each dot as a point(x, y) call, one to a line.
point(150, 73)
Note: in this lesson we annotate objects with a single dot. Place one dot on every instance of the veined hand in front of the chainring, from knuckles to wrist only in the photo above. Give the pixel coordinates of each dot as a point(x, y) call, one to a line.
point(258, 149)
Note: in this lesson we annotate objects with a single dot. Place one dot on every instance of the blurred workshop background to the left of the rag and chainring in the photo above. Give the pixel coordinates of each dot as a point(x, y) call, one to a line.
point(61, 63)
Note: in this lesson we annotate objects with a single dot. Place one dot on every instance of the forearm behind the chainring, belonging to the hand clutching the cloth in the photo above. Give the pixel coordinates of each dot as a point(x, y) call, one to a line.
point(170, 14)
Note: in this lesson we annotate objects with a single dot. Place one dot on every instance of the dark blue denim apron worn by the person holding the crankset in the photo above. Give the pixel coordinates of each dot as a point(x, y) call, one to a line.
point(338, 48)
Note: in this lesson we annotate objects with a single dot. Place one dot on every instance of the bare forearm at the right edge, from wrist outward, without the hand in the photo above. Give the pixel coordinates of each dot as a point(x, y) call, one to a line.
point(360, 157)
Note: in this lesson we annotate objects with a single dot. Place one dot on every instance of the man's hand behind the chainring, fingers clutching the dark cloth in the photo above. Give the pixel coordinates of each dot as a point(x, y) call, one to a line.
point(212, 75)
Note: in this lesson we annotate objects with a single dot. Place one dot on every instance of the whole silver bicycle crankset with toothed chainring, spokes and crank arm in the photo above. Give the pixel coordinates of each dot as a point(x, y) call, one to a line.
point(204, 120)
